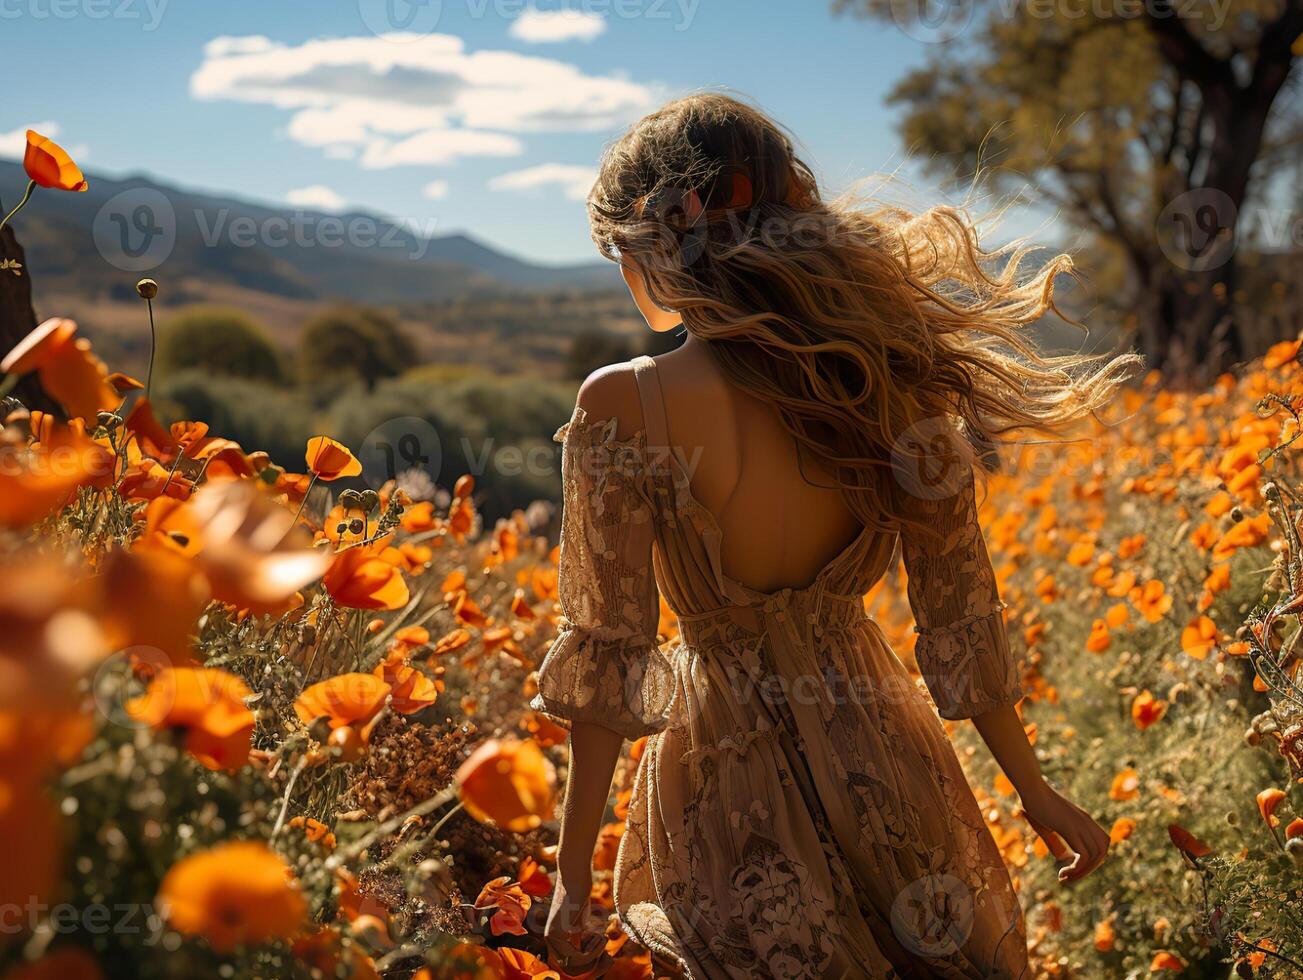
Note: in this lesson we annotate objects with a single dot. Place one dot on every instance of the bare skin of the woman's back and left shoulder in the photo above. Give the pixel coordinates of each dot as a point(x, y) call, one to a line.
point(781, 526)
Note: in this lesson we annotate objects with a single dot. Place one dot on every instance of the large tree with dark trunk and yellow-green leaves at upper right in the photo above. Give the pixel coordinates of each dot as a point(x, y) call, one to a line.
point(1151, 123)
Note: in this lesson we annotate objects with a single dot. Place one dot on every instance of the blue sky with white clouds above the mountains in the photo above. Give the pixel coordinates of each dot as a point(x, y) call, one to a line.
point(484, 121)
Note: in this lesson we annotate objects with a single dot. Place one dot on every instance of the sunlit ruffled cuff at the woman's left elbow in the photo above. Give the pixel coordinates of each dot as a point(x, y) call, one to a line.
point(623, 684)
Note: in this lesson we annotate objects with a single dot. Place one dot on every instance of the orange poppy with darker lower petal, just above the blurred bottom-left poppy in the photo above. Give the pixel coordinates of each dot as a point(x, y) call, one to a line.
point(209, 706)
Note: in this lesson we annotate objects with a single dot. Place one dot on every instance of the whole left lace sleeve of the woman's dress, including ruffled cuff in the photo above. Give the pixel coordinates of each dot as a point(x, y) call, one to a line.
point(605, 665)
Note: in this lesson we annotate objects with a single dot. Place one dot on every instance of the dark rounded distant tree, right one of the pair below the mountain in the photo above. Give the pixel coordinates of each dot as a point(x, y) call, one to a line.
point(355, 341)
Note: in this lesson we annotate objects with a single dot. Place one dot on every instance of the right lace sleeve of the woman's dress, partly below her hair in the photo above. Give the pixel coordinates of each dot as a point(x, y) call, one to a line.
point(964, 648)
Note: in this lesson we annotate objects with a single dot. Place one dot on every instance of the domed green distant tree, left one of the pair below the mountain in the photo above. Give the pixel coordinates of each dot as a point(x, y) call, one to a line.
point(218, 341)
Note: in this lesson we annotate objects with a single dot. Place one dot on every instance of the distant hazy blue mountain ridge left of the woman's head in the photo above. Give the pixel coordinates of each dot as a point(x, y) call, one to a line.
point(93, 247)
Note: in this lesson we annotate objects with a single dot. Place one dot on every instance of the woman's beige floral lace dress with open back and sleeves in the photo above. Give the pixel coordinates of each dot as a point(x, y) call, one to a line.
point(799, 810)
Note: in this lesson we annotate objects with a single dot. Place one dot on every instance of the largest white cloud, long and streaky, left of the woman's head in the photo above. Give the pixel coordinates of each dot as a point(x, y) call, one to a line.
point(424, 102)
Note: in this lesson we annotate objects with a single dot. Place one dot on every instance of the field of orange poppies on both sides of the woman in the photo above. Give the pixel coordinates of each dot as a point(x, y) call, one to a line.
point(272, 724)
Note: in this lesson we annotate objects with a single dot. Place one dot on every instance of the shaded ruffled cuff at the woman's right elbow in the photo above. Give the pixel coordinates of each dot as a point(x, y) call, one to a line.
point(967, 667)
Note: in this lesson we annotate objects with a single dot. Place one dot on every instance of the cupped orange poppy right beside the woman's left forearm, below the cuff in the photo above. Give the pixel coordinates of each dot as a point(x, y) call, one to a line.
point(509, 783)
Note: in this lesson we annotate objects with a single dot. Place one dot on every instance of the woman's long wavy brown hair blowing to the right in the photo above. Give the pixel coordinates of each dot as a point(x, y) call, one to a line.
point(872, 330)
